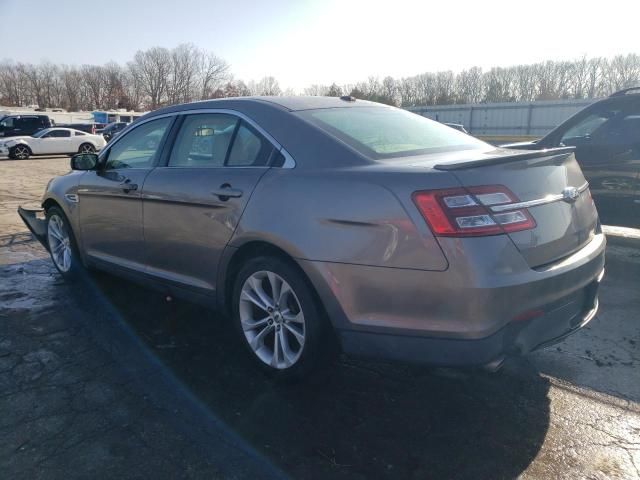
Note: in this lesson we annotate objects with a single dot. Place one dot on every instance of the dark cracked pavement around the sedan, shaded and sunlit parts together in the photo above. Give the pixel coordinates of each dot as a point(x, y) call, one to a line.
point(106, 379)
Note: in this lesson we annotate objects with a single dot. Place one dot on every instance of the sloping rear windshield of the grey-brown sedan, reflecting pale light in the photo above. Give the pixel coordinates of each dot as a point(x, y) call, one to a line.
point(385, 132)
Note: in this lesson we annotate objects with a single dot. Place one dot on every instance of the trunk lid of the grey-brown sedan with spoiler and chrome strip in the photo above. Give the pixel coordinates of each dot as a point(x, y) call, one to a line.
point(565, 216)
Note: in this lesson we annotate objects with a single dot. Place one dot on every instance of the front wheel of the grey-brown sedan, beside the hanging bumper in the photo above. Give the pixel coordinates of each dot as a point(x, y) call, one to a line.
point(62, 245)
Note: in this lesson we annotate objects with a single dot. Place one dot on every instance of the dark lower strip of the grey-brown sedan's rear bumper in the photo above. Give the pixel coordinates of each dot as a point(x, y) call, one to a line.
point(517, 338)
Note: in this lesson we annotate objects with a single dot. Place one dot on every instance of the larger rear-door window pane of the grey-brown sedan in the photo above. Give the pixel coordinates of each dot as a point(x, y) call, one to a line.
point(203, 140)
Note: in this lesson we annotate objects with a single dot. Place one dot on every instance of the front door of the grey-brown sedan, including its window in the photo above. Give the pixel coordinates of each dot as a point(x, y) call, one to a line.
point(110, 202)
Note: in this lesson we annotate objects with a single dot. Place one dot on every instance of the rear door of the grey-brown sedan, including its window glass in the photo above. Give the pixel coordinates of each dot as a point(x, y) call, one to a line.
point(193, 204)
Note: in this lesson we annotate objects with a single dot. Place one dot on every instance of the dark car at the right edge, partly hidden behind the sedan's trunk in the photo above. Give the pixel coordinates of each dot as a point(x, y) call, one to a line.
point(606, 137)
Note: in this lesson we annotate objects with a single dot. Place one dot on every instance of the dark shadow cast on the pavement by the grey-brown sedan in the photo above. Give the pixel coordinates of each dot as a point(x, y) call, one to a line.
point(352, 419)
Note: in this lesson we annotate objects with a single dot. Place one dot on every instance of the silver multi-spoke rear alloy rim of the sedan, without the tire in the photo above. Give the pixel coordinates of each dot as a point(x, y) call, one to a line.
point(272, 319)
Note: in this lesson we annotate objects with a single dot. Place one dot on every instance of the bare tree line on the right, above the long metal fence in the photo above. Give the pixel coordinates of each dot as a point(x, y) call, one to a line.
point(551, 80)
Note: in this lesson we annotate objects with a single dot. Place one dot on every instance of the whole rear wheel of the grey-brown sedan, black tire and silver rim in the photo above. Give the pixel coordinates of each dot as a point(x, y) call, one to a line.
point(298, 324)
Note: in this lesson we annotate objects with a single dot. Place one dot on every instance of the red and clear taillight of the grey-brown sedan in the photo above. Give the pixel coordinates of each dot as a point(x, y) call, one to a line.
point(458, 212)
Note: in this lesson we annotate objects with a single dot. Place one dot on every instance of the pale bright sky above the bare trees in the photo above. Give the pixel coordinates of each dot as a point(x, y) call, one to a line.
point(303, 42)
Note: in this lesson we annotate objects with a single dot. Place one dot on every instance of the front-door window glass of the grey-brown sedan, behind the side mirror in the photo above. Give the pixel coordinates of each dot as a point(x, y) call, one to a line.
point(139, 147)
